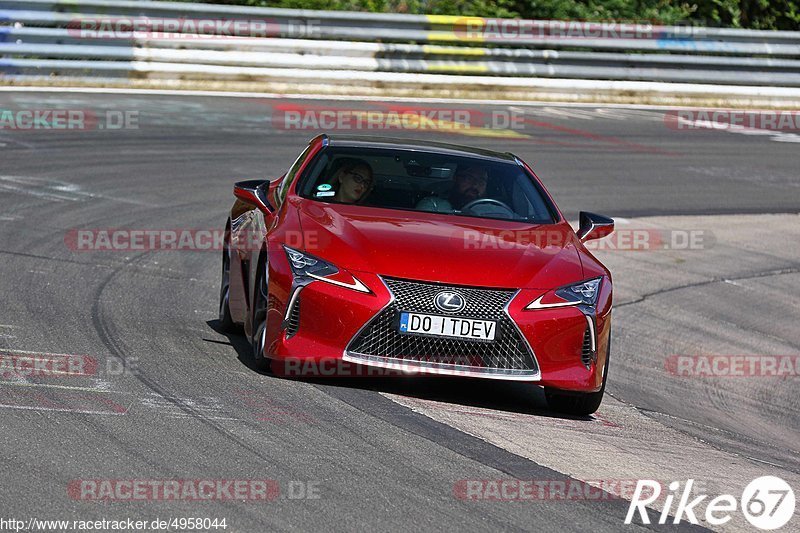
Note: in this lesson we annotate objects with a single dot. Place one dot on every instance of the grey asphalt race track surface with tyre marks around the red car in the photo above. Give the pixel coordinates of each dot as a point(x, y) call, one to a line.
point(171, 398)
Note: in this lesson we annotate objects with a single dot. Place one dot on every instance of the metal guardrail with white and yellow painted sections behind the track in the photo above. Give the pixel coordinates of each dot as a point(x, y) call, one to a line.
point(67, 38)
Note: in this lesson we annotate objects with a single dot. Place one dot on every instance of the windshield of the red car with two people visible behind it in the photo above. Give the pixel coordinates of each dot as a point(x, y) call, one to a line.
point(426, 182)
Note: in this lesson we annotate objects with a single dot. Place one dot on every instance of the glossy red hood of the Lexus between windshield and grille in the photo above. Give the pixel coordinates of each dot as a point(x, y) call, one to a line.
point(441, 248)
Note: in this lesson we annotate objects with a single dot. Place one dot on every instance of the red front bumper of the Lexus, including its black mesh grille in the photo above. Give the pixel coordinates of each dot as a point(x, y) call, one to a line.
point(563, 348)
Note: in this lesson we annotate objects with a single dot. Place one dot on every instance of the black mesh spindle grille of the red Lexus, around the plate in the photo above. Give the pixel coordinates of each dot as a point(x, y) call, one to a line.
point(509, 355)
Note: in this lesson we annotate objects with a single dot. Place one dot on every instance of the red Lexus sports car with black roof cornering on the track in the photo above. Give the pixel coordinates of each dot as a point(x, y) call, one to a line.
point(422, 257)
